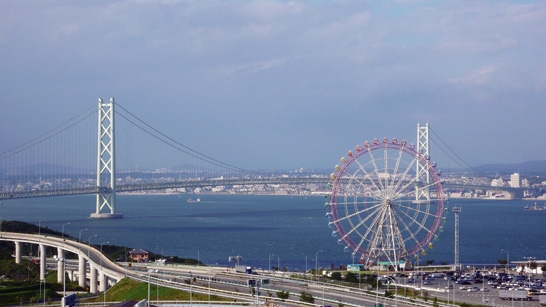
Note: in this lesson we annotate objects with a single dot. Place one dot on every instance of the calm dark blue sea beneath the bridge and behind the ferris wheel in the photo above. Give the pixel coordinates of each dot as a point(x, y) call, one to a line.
point(262, 231)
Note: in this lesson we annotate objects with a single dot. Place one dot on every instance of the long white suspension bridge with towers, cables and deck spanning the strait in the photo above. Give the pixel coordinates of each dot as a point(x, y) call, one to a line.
point(73, 159)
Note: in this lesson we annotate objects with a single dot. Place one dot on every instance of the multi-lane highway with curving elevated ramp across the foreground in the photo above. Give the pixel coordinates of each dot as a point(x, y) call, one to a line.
point(225, 282)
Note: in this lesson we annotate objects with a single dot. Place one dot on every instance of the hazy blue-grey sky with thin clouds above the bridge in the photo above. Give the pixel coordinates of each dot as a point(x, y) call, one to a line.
point(284, 84)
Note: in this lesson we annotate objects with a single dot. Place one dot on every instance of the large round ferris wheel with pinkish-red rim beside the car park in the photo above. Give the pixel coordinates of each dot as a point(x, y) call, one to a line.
point(386, 202)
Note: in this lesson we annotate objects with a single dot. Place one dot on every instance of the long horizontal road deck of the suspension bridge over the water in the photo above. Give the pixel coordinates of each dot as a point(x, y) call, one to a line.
point(4, 195)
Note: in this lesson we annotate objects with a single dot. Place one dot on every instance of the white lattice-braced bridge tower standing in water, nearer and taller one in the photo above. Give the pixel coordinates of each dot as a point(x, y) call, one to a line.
point(106, 181)
